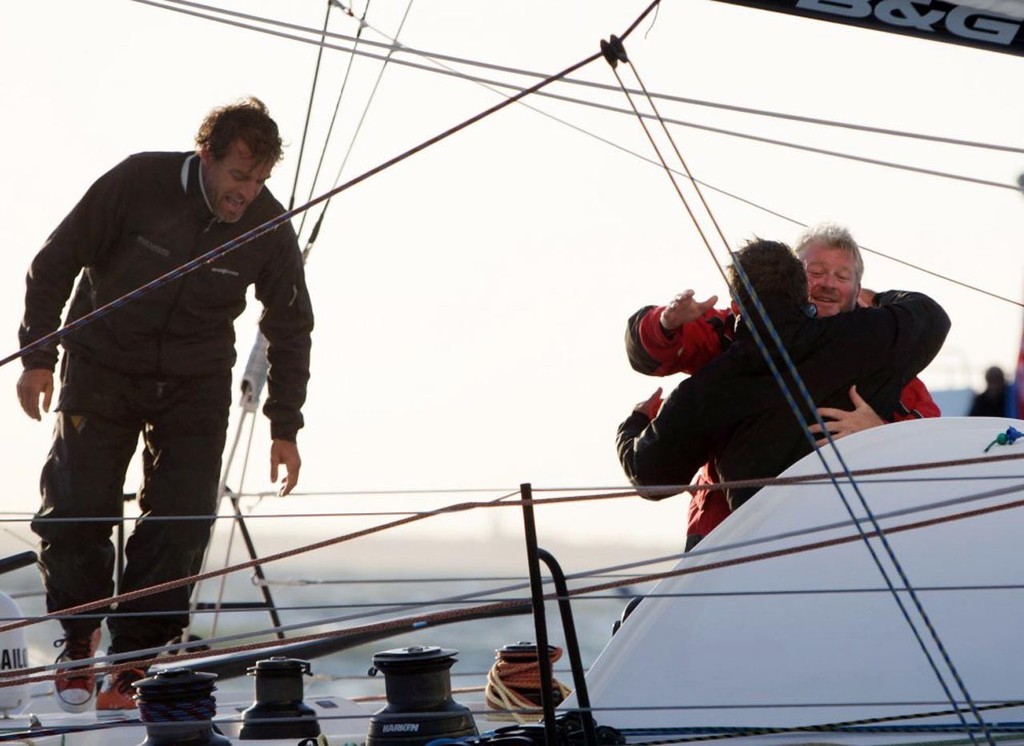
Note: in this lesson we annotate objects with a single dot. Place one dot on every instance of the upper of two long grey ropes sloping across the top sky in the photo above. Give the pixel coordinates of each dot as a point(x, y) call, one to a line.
point(393, 48)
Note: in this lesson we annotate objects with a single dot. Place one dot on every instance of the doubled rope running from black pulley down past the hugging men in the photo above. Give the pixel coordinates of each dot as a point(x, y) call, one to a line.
point(805, 396)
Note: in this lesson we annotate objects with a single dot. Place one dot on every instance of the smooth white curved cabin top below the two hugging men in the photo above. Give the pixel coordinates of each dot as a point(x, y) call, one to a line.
point(809, 634)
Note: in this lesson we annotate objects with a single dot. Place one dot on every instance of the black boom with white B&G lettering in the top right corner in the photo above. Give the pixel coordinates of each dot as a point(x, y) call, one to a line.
point(993, 25)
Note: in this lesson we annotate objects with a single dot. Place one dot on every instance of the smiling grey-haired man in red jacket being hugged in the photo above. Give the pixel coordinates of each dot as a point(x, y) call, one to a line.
point(686, 335)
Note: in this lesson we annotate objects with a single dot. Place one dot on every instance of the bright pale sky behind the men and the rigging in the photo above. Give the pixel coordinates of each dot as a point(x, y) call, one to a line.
point(472, 301)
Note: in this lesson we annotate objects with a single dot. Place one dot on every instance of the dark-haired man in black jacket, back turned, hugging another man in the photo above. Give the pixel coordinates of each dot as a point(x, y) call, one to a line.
point(733, 411)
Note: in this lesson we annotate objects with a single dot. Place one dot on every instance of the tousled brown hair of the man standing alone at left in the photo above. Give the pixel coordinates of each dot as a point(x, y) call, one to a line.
point(246, 120)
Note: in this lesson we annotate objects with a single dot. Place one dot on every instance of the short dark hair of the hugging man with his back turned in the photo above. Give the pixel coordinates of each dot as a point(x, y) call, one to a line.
point(775, 273)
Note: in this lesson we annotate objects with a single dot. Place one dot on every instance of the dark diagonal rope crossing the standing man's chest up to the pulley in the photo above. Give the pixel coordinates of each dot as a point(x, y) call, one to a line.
point(218, 252)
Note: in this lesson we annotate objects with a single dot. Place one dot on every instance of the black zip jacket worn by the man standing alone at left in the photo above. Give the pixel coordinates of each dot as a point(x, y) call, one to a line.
point(141, 221)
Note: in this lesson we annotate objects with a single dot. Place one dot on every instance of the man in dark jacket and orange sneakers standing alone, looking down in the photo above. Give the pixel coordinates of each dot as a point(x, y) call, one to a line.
point(159, 367)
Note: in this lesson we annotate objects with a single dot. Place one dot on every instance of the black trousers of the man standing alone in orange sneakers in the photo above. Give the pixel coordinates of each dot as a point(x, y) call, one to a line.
point(102, 414)
